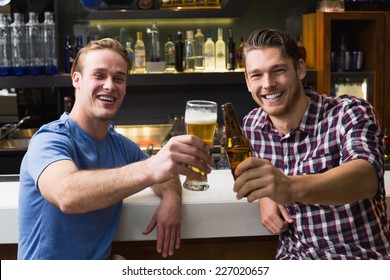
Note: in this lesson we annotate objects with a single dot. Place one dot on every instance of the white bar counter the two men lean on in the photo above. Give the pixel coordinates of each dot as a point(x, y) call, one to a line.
point(207, 214)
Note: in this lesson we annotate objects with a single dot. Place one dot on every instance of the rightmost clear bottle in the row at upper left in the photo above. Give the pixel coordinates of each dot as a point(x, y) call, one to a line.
point(49, 45)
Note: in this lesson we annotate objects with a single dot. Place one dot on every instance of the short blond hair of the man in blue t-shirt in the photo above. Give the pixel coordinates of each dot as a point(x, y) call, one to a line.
point(106, 43)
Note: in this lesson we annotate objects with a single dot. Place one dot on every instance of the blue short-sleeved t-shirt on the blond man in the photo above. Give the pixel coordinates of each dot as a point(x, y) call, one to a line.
point(44, 231)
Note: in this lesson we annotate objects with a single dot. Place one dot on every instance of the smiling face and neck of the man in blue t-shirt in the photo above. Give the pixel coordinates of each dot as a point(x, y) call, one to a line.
point(100, 87)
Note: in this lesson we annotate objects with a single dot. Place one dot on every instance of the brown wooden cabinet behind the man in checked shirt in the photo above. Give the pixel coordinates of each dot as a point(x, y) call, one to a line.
point(364, 31)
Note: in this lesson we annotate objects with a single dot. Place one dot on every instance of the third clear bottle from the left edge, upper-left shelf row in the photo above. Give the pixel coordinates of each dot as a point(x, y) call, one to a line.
point(34, 47)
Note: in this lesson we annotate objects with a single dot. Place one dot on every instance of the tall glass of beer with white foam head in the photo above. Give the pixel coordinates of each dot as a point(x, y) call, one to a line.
point(200, 119)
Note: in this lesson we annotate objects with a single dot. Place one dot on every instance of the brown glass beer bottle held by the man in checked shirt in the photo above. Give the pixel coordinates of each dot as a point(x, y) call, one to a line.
point(237, 145)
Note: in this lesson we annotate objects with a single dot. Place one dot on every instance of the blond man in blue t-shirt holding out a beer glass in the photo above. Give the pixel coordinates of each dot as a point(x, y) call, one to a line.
point(78, 170)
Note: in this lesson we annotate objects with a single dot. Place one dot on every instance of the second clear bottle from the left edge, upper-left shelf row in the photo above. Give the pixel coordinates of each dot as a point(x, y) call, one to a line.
point(18, 45)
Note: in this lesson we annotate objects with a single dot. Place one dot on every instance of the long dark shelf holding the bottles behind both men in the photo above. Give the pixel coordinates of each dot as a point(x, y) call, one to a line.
point(148, 79)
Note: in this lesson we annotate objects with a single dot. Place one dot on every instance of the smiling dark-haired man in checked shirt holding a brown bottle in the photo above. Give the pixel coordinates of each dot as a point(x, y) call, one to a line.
point(317, 168)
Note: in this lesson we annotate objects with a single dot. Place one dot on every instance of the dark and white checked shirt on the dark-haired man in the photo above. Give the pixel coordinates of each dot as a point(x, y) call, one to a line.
point(332, 131)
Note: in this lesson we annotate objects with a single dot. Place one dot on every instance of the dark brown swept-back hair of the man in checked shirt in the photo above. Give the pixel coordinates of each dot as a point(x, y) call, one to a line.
point(265, 38)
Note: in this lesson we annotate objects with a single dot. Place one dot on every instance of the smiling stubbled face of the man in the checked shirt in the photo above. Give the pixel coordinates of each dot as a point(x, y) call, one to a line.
point(275, 84)
